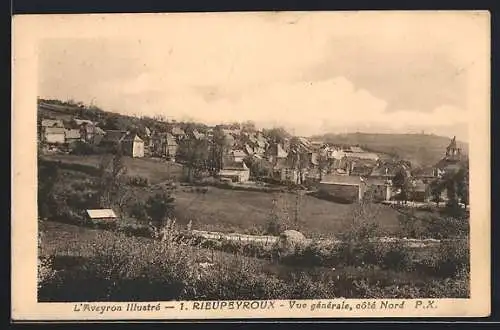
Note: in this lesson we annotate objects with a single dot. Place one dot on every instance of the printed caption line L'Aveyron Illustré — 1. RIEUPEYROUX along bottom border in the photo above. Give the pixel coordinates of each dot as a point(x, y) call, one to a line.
point(344, 305)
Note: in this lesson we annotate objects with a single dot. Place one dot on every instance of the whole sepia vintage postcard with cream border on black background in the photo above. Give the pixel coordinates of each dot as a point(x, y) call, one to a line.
point(251, 165)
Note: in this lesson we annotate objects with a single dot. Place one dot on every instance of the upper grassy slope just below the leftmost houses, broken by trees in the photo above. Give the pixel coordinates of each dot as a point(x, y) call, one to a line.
point(155, 170)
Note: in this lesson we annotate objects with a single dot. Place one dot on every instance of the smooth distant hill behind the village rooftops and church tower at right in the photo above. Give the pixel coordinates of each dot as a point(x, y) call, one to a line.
point(420, 149)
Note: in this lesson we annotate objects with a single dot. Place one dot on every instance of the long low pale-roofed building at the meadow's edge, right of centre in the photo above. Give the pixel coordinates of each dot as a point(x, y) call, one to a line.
point(343, 187)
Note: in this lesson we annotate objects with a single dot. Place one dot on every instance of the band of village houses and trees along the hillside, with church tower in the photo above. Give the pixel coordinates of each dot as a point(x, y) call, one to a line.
point(241, 154)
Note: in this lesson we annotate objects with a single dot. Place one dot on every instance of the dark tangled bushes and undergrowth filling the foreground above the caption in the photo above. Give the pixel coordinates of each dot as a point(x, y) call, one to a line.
point(113, 267)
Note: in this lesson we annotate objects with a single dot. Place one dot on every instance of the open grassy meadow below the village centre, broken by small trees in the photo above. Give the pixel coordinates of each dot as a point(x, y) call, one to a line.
point(229, 210)
